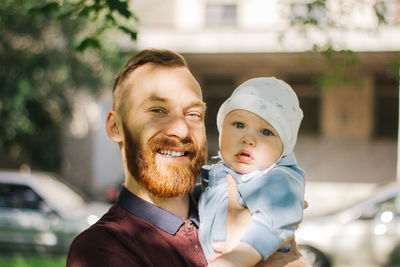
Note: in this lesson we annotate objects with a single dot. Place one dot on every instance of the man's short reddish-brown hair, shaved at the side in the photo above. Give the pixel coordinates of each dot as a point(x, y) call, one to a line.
point(160, 57)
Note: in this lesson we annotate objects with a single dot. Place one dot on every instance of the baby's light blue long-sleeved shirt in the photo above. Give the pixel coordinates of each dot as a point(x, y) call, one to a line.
point(275, 200)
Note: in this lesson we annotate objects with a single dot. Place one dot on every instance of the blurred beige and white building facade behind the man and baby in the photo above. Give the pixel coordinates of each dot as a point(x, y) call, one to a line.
point(340, 56)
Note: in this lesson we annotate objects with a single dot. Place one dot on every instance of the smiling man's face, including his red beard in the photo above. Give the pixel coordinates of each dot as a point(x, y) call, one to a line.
point(165, 142)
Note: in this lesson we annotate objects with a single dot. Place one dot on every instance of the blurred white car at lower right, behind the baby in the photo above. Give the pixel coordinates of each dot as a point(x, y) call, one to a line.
point(364, 234)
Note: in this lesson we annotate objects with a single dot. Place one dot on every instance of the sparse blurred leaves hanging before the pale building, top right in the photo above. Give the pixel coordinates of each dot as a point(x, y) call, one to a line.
point(315, 16)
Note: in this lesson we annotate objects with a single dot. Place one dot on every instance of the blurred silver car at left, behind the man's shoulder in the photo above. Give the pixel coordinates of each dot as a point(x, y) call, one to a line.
point(39, 212)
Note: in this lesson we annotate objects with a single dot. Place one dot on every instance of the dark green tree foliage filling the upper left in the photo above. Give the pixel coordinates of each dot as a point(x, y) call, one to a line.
point(40, 68)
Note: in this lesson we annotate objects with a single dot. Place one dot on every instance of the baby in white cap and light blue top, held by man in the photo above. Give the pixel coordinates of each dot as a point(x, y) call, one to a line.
point(258, 126)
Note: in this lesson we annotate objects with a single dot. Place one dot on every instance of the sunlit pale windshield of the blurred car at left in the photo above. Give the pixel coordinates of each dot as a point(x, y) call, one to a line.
point(59, 194)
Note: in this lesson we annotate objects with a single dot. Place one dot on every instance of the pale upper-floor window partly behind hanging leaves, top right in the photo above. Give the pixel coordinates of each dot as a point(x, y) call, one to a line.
point(308, 12)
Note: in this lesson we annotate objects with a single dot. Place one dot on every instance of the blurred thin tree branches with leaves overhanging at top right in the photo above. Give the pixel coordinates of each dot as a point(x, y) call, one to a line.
point(327, 19)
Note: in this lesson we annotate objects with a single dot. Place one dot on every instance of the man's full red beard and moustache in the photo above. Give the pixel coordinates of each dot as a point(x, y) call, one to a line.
point(172, 180)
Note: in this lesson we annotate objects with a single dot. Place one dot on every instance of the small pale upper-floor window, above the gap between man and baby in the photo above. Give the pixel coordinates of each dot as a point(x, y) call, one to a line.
point(221, 14)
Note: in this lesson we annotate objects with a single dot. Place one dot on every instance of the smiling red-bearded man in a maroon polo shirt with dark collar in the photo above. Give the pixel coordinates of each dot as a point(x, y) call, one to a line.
point(158, 122)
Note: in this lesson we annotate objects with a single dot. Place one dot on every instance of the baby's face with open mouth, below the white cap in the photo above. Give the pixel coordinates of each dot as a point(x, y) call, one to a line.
point(248, 142)
